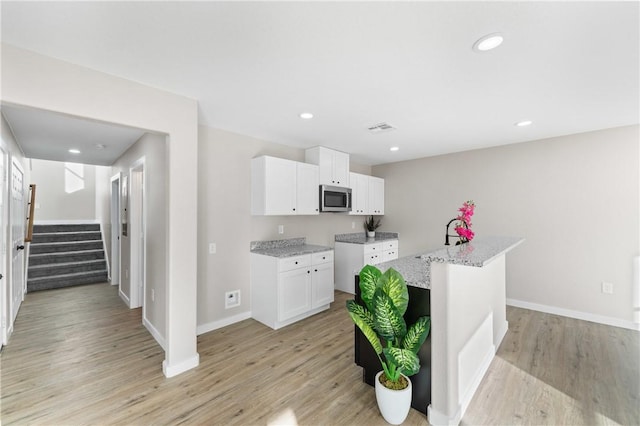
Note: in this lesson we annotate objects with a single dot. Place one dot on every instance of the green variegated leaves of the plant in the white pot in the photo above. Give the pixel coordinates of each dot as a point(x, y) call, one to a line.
point(381, 320)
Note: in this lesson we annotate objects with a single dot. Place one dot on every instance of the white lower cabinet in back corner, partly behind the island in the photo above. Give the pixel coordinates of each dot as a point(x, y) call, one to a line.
point(351, 258)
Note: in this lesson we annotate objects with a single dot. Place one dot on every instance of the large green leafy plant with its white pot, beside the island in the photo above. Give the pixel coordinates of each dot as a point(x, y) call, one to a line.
point(380, 318)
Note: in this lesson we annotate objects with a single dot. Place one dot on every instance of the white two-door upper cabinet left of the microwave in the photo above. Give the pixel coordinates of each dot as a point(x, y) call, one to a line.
point(283, 187)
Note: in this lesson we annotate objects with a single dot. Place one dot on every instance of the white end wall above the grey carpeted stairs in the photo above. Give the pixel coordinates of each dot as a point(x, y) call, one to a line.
point(53, 202)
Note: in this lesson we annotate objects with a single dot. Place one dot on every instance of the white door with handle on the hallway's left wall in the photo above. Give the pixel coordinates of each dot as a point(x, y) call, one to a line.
point(17, 220)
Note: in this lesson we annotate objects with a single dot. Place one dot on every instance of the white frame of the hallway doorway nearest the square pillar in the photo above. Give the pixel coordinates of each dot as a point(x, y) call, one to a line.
point(137, 223)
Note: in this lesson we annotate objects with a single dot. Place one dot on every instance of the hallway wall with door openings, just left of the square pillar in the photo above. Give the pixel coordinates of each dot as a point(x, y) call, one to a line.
point(153, 148)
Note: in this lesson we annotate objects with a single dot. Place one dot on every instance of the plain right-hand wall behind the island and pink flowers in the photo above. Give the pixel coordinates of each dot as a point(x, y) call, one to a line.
point(574, 198)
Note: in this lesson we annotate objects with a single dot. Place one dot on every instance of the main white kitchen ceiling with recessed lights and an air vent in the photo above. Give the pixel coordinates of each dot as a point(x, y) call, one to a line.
point(254, 66)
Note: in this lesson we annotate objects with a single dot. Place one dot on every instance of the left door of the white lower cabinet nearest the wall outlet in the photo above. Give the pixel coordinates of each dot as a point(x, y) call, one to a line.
point(294, 293)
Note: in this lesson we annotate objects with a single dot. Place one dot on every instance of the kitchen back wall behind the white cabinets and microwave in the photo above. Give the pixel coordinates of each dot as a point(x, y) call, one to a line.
point(224, 218)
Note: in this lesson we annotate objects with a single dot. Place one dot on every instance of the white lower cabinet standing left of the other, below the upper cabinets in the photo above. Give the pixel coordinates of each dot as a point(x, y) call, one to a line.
point(286, 290)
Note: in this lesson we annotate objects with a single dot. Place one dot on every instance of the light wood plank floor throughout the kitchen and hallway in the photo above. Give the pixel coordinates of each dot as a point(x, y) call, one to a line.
point(79, 356)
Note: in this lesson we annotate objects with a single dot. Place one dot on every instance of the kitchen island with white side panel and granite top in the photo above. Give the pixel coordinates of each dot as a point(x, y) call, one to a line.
point(462, 288)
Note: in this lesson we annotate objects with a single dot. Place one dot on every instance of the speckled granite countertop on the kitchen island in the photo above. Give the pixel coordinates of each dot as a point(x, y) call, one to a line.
point(416, 269)
